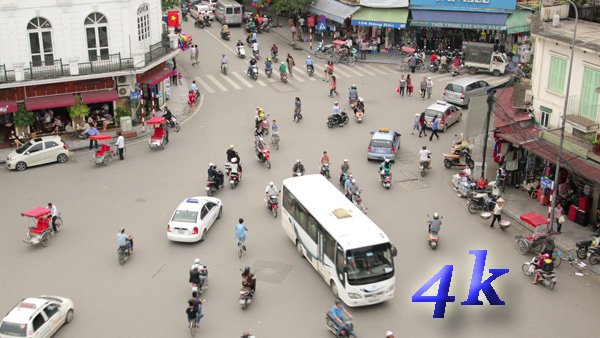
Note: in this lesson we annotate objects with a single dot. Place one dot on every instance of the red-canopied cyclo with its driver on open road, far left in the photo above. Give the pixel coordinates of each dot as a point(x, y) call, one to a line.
point(40, 230)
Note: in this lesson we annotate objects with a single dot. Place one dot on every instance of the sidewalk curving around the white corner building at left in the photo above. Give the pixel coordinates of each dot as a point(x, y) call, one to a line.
point(177, 103)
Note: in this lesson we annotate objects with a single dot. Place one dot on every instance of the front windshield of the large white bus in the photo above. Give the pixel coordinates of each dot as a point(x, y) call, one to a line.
point(369, 264)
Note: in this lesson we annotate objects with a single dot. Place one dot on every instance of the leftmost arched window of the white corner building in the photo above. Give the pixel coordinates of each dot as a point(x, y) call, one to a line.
point(40, 41)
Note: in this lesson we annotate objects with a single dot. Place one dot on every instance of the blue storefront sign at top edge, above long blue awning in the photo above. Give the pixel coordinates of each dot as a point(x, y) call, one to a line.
point(493, 6)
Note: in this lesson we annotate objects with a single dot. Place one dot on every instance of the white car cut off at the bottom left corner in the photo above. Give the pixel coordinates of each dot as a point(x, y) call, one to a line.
point(37, 317)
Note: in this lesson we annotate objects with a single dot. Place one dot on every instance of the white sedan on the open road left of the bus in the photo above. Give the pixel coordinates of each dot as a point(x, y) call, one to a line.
point(193, 218)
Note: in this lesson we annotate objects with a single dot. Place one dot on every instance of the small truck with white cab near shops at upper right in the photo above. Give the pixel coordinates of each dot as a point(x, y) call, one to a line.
point(481, 57)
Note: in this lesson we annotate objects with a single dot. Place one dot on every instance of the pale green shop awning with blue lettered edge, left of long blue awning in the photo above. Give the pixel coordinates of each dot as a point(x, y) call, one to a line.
point(381, 17)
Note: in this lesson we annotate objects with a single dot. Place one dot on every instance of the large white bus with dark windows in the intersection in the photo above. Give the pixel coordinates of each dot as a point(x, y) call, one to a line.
point(348, 250)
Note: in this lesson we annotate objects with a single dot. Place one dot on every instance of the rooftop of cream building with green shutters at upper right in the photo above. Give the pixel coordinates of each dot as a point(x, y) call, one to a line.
point(587, 32)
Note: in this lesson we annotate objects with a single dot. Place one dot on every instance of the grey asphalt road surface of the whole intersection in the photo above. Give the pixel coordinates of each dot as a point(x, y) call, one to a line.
point(147, 296)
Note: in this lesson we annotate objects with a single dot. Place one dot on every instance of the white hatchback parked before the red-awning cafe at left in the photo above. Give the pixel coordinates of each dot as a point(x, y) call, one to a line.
point(38, 151)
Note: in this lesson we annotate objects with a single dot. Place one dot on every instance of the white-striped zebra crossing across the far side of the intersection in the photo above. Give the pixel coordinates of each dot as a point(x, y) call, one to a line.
point(239, 80)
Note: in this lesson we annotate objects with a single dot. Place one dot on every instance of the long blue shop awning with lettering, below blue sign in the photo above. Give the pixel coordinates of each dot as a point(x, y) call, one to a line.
point(464, 20)
